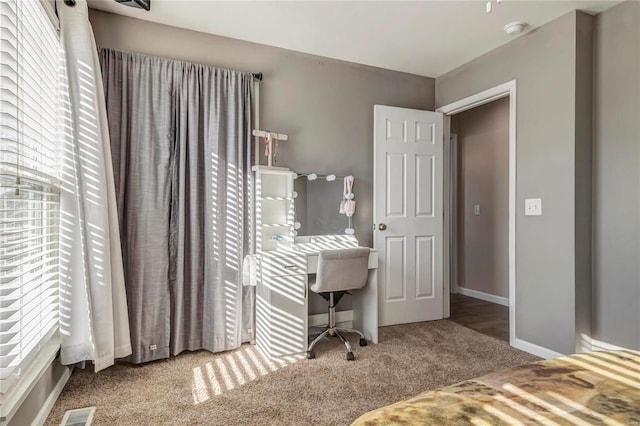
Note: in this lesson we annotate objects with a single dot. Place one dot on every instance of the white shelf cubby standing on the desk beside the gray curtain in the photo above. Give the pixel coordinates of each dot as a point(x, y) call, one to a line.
point(274, 208)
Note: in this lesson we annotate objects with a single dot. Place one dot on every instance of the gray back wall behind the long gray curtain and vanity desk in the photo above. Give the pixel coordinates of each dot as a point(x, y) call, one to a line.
point(324, 105)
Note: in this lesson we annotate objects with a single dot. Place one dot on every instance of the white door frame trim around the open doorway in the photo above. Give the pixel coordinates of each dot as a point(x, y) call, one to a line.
point(504, 90)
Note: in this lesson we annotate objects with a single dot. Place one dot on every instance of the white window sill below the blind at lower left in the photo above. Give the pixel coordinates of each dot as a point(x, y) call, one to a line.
point(11, 400)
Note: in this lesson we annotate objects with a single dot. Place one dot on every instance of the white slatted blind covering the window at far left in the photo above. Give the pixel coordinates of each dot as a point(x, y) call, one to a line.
point(30, 63)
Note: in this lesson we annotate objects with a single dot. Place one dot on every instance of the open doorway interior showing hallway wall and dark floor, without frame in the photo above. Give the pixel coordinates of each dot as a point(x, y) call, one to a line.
point(480, 218)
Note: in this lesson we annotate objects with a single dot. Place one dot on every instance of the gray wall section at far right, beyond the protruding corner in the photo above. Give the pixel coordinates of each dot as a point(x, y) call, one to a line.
point(616, 176)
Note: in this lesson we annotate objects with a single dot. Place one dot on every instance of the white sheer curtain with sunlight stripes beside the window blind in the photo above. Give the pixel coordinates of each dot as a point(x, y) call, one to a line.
point(94, 322)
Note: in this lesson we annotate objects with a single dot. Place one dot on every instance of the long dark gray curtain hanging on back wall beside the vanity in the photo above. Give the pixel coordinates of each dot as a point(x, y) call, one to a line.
point(181, 147)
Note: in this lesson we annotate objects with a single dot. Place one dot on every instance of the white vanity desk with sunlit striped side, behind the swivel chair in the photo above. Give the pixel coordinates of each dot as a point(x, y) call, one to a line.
point(282, 298)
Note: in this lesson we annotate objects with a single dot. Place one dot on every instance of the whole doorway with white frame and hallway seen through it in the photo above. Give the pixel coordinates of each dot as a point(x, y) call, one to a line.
point(480, 211)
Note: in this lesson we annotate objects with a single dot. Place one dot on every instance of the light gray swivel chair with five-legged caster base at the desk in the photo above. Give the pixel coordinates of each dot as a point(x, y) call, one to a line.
point(338, 272)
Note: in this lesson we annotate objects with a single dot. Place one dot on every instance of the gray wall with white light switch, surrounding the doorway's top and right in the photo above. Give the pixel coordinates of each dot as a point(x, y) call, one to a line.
point(544, 64)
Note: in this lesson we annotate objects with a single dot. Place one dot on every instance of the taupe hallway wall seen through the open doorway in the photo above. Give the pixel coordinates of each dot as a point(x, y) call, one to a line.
point(483, 178)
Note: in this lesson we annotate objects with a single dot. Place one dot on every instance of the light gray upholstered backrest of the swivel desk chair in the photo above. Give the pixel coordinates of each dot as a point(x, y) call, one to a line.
point(344, 269)
